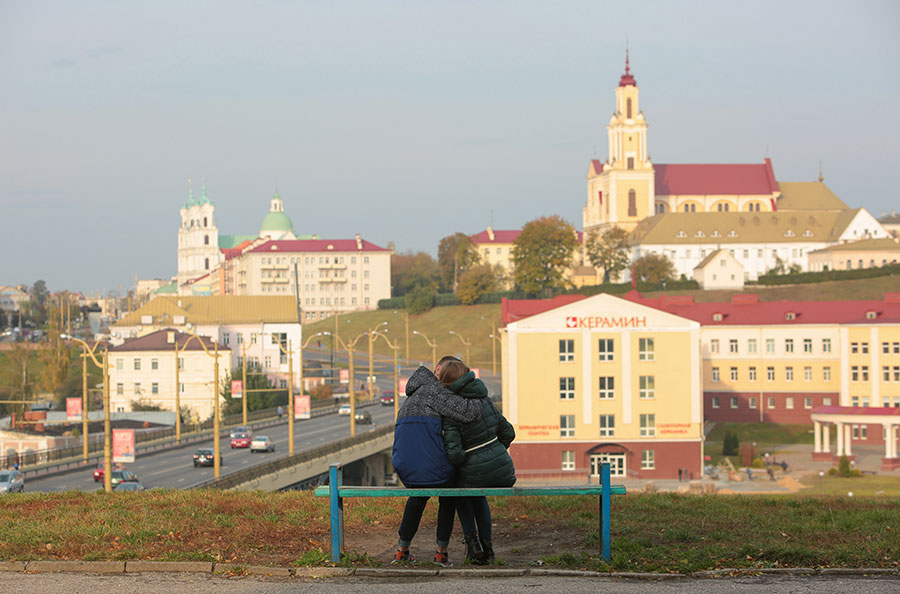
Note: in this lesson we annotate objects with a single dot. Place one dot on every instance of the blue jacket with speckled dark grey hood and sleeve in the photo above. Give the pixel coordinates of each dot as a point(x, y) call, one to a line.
point(419, 457)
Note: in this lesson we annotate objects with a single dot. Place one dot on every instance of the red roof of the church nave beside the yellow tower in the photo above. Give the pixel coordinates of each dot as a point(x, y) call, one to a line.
point(715, 179)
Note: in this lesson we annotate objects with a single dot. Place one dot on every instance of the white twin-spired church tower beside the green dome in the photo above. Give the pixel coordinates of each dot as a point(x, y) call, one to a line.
point(198, 237)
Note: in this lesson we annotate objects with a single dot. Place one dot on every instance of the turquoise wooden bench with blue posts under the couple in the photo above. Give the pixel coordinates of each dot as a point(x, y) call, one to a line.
point(337, 492)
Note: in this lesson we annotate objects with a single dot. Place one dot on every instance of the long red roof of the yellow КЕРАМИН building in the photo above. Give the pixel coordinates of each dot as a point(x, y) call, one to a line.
point(743, 310)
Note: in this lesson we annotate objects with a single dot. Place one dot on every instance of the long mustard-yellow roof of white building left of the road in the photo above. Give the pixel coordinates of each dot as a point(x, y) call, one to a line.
point(215, 309)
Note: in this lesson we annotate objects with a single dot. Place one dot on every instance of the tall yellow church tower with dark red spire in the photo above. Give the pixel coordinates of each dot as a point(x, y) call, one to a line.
point(621, 190)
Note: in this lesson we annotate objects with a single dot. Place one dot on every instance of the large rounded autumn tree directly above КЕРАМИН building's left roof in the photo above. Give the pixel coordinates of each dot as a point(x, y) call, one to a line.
point(542, 252)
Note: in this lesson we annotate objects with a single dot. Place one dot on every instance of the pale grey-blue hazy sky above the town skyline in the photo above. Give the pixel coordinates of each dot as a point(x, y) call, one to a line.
point(405, 121)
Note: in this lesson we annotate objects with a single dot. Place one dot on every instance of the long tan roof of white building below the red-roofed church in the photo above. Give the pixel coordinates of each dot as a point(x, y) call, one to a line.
point(742, 227)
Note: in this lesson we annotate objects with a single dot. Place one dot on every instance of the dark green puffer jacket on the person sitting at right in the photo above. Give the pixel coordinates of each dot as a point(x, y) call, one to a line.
point(488, 464)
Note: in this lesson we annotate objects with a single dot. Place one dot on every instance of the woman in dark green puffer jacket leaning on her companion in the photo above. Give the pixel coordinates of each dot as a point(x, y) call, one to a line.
point(478, 450)
